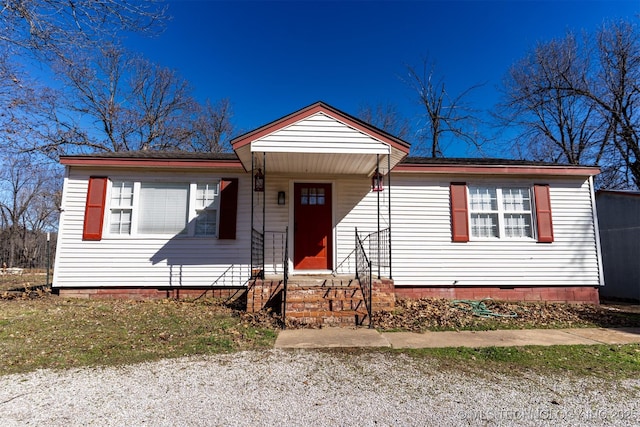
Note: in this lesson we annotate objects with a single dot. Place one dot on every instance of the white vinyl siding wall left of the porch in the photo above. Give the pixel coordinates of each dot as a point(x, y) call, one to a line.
point(148, 260)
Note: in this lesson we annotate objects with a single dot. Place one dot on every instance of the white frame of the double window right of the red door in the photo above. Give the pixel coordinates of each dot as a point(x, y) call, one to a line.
point(501, 212)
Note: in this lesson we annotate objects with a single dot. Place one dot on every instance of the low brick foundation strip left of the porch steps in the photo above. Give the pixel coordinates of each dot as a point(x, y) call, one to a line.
point(151, 293)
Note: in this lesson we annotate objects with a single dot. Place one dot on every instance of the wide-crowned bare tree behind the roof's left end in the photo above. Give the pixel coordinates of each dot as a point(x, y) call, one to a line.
point(114, 102)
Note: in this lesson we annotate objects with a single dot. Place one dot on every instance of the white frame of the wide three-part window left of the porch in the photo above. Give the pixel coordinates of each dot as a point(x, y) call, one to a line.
point(192, 209)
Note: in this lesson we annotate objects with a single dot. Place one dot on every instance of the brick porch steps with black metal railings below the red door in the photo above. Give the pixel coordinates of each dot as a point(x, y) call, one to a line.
point(316, 300)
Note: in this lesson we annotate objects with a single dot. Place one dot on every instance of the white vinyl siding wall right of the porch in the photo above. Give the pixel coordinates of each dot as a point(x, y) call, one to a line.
point(423, 253)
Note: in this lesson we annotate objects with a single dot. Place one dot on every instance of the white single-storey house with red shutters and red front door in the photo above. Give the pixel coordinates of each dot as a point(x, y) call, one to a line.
point(291, 197)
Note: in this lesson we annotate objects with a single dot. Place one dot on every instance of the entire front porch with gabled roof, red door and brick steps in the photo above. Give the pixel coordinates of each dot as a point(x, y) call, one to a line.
point(318, 176)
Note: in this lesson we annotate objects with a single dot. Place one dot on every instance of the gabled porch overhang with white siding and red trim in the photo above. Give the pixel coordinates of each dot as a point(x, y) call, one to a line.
point(320, 140)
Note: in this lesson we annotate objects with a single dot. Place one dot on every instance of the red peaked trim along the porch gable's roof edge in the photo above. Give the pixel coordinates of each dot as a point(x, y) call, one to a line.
point(319, 107)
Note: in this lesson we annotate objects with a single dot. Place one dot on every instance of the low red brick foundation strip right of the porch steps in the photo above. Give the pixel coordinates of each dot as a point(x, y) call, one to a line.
point(564, 294)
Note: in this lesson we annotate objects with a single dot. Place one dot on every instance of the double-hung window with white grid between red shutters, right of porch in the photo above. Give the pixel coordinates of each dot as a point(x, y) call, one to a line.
point(500, 212)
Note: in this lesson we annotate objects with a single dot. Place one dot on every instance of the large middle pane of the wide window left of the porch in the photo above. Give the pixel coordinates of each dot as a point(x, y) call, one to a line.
point(163, 208)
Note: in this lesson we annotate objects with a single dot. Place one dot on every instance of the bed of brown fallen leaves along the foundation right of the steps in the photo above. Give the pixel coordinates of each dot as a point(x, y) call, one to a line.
point(441, 314)
